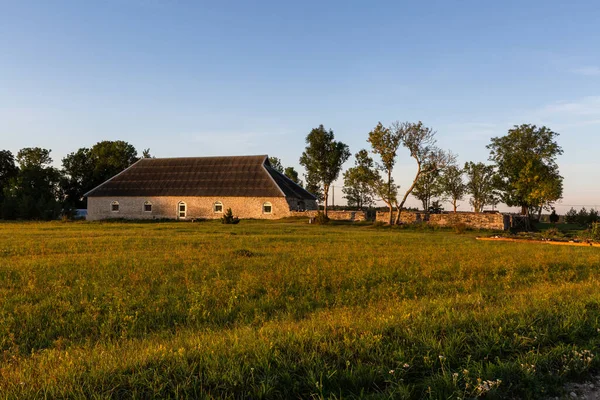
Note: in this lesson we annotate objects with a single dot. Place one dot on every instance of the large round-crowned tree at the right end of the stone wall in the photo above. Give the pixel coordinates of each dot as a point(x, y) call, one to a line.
point(526, 164)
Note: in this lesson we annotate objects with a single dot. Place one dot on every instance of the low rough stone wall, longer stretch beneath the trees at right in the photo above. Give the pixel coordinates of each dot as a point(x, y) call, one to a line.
point(472, 220)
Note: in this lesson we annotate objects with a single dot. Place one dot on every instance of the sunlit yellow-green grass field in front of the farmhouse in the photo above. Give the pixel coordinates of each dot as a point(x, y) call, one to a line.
point(289, 310)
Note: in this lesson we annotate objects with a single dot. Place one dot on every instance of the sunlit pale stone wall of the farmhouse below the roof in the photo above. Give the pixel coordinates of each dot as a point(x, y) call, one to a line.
point(196, 207)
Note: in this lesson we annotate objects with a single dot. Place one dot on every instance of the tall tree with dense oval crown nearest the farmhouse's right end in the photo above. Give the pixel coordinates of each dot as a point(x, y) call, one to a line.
point(323, 158)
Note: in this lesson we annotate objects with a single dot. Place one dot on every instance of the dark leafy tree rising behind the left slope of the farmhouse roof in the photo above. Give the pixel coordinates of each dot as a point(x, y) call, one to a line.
point(87, 168)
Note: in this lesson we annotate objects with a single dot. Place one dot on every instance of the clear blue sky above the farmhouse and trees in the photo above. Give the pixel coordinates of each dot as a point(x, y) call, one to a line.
point(192, 78)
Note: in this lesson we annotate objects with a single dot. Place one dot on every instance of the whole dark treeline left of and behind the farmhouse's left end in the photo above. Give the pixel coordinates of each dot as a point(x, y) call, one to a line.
point(31, 188)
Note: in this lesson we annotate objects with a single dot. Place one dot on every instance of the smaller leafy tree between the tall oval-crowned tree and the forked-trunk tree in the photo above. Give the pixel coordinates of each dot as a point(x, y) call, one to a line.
point(359, 180)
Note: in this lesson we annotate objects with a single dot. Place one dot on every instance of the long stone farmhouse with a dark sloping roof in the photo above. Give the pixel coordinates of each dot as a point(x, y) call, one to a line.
point(198, 188)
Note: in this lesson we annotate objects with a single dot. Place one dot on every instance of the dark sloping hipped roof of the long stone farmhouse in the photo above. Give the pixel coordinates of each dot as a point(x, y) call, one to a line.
point(236, 176)
